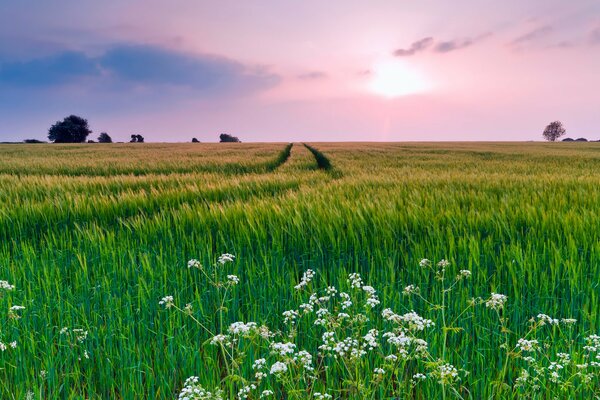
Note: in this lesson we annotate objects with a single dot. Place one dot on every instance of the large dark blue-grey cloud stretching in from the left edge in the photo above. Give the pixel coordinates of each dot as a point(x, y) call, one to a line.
point(124, 66)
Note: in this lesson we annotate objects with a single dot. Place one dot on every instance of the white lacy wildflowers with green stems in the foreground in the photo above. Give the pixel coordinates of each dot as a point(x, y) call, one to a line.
point(340, 332)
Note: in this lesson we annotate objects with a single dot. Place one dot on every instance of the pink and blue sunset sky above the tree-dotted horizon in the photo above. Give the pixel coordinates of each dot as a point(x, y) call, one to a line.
point(289, 70)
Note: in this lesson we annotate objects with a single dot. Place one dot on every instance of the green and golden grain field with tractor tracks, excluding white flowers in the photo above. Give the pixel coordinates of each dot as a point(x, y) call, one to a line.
point(94, 236)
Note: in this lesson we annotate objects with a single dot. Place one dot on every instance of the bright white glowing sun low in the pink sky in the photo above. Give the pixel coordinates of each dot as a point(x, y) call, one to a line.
point(395, 79)
